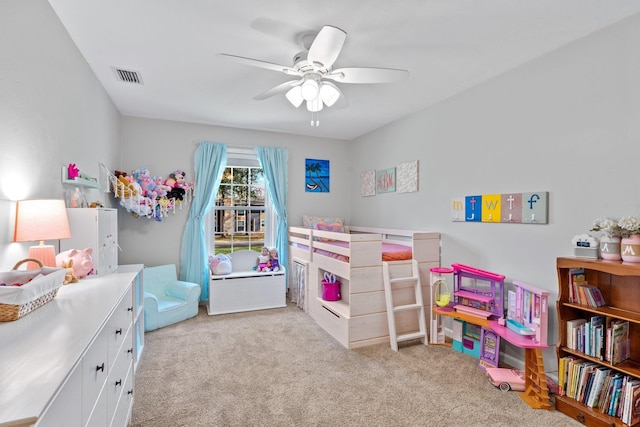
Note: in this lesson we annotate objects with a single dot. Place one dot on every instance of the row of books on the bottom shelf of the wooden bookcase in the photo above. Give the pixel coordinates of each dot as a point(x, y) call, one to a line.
point(600, 388)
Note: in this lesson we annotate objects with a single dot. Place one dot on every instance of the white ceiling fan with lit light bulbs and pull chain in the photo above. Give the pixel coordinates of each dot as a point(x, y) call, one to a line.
point(314, 74)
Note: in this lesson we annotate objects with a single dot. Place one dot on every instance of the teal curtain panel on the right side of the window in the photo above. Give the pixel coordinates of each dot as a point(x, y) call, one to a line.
point(274, 164)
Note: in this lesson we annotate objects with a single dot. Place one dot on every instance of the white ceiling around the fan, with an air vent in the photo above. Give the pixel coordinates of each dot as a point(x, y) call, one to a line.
point(446, 45)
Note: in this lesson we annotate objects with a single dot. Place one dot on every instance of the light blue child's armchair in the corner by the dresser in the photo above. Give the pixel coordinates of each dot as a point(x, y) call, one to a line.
point(167, 300)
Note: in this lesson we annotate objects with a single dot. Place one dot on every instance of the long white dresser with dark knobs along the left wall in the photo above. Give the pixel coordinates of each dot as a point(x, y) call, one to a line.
point(72, 361)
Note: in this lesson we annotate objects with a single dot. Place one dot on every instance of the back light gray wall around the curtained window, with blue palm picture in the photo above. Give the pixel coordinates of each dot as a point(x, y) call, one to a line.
point(164, 146)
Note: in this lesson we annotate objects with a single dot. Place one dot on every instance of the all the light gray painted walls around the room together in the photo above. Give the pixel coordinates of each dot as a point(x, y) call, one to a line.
point(565, 123)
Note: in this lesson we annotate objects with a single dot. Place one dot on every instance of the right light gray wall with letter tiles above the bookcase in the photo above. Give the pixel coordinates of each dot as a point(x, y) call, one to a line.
point(566, 123)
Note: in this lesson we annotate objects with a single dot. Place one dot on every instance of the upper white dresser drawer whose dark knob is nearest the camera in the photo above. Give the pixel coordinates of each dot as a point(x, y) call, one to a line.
point(95, 367)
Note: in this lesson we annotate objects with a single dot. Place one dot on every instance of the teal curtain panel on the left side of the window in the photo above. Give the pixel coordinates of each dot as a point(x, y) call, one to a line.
point(210, 160)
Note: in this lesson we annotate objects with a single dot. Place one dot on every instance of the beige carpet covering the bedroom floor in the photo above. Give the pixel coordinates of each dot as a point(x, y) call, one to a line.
point(278, 368)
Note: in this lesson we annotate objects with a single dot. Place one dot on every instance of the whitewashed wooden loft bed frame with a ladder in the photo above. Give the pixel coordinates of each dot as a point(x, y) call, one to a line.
point(359, 318)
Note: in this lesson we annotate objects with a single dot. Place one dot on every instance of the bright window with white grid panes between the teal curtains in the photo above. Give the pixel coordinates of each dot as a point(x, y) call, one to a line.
point(241, 210)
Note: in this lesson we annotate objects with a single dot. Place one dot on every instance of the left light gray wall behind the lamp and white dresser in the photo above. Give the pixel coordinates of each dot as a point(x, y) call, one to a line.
point(53, 112)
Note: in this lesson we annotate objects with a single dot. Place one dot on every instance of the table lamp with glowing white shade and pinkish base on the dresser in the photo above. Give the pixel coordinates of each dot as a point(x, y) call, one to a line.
point(40, 220)
